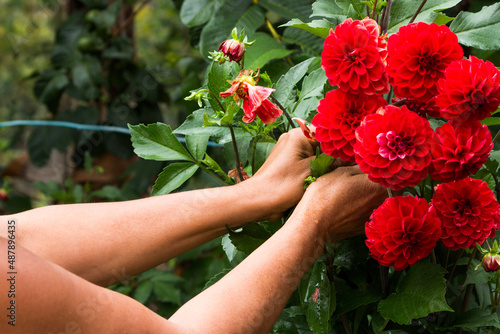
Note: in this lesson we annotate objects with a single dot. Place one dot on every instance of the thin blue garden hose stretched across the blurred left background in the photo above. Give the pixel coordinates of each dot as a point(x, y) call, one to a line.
point(78, 126)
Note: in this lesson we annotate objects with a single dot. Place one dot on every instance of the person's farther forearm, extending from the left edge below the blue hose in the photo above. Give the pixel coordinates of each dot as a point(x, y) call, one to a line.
point(108, 242)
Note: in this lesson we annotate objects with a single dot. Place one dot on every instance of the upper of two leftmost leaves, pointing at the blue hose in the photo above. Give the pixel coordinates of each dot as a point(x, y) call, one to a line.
point(157, 142)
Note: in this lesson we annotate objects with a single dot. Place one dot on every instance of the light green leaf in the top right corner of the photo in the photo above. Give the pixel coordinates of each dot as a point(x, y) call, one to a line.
point(479, 30)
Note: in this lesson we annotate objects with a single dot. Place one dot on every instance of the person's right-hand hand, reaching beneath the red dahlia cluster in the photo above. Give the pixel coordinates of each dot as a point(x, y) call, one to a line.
point(341, 202)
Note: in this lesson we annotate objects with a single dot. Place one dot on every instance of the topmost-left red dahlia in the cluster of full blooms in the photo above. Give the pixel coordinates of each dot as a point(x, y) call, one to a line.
point(353, 57)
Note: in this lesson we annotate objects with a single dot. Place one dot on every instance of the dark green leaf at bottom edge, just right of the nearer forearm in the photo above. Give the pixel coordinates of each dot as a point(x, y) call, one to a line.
point(315, 298)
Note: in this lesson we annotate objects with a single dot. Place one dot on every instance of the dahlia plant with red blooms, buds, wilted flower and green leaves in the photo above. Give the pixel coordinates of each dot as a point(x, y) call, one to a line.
point(397, 91)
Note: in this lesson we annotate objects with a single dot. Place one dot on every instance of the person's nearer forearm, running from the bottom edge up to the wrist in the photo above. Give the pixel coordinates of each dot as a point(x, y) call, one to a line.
point(250, 298)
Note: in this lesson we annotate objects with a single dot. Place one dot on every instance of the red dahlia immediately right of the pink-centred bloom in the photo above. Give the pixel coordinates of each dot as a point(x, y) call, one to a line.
point(459, 151)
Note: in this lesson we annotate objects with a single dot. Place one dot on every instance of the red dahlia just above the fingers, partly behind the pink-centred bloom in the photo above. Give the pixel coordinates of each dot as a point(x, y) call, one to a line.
point(339, 114)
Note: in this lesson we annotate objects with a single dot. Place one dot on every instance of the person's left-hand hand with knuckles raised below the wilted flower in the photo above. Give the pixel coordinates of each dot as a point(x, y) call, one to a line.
point(280, 181)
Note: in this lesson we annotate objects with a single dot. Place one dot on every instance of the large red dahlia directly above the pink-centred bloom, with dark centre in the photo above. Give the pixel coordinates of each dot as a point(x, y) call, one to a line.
point(418, 56)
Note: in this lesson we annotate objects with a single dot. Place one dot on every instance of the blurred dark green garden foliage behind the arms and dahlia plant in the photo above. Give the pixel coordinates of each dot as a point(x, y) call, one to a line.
point(109, 63)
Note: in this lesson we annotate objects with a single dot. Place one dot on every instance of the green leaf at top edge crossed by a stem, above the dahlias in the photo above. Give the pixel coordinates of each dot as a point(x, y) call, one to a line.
point(403, 10)
